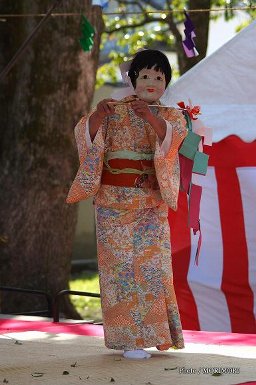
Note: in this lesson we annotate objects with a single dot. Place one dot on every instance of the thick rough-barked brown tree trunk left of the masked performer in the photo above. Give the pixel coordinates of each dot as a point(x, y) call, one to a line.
point(41, 99)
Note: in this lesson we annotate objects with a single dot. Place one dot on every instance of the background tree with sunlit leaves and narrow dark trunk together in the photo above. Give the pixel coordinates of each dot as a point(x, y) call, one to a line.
point(136, 28)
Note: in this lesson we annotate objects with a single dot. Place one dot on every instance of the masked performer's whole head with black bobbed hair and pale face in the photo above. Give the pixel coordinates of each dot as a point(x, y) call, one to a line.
point(150, 73)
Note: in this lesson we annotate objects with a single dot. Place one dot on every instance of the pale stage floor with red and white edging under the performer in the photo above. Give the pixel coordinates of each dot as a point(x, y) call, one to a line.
point(72, 353)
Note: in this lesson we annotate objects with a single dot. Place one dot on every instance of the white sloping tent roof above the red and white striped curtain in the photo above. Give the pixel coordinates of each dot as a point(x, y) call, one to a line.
point(224, 85)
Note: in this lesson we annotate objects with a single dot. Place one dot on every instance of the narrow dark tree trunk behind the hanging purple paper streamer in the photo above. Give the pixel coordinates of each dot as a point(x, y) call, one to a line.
point(201, 22)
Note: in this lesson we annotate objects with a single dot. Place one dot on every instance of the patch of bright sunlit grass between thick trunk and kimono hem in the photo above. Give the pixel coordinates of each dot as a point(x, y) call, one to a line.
point(88, 307)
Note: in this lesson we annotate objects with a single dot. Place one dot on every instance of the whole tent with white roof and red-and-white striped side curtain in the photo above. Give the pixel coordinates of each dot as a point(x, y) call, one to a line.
point(220, 293)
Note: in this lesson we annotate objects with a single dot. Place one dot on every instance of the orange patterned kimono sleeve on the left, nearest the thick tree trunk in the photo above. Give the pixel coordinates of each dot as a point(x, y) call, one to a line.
point(88, 177)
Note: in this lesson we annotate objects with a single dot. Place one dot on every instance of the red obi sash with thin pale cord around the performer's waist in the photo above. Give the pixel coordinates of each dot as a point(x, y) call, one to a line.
point(126, 172)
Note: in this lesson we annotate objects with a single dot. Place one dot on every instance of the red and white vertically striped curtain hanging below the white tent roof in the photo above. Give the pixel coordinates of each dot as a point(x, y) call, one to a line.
point(220, 293)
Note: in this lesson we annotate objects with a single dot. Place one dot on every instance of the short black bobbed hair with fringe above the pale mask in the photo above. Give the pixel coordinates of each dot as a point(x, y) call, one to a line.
point(150, 58)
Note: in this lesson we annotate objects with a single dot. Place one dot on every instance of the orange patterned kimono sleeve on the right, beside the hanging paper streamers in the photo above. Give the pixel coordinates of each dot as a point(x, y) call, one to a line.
point(167, 164)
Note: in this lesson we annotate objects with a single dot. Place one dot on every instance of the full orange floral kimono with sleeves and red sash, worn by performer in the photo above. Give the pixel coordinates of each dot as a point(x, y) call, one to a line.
point(133, 237)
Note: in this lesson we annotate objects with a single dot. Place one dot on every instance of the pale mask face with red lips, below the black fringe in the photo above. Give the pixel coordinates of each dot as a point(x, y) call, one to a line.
point(150, 85)
